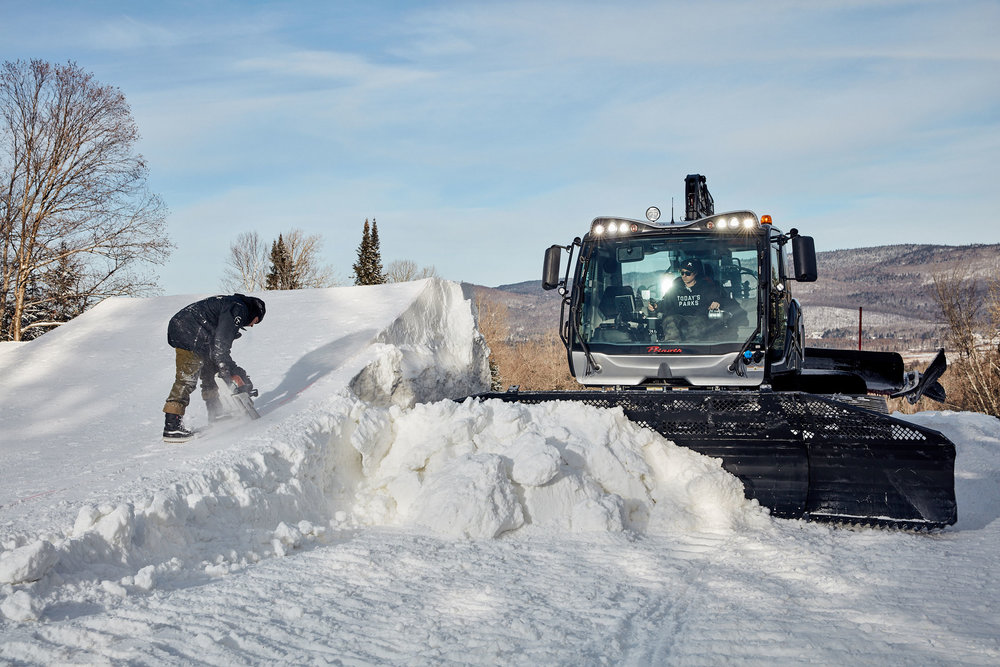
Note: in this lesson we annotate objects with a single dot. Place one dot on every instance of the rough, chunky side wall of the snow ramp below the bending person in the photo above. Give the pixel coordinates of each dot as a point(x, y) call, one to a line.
point(262, 496)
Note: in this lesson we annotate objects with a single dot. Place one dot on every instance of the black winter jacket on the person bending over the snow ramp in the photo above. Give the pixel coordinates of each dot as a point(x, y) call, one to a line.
point(209, 327)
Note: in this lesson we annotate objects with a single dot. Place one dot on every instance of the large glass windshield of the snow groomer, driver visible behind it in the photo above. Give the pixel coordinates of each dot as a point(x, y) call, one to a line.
point(681, 290)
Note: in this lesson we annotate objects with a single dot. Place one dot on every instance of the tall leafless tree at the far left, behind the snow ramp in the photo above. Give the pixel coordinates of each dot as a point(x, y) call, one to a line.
point(71, 186)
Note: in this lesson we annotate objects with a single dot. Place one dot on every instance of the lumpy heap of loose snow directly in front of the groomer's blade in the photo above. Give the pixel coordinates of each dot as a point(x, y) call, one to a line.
point(481, 469)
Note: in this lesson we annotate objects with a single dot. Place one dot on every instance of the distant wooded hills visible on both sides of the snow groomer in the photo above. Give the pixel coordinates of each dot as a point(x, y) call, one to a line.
point(893, 285)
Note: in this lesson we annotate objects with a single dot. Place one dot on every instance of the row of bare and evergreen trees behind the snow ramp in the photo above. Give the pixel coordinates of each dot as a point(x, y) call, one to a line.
point(78, 222)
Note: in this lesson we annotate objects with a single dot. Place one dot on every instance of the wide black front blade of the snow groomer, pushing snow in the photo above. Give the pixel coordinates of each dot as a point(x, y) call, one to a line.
point(802, 455)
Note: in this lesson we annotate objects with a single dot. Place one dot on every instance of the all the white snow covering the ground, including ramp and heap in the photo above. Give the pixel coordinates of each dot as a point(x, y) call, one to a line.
point(366, 518)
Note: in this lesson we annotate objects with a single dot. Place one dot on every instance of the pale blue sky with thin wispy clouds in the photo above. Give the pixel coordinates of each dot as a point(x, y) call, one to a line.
point(480, 133)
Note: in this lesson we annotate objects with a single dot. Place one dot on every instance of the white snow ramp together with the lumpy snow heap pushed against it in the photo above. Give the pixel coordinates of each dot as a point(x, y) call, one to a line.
point(357, 431)
